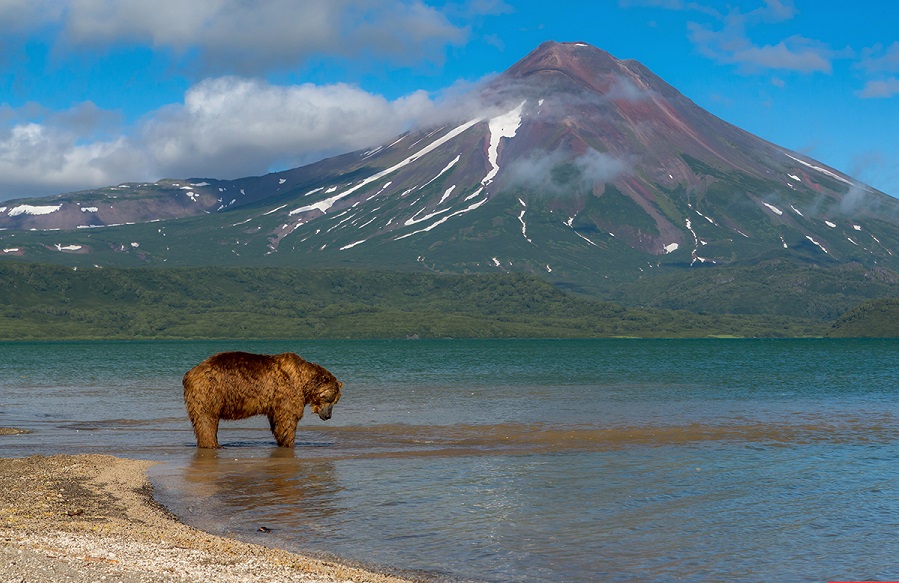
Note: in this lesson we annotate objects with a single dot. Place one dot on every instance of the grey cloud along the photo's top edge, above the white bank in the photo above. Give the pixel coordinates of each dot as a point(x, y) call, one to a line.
point(235, 36)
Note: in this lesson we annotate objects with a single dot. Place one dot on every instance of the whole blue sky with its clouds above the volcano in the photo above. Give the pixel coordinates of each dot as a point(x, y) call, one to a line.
point(98, 92)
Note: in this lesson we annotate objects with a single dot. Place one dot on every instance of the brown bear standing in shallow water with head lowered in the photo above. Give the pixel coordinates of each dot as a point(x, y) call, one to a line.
point(237, 385)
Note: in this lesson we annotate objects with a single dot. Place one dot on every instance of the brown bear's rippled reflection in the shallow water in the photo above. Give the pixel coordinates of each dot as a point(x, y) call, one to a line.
point(278, 490)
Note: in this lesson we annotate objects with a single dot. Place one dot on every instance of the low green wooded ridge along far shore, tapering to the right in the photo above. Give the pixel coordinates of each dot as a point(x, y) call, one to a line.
point(53, 302)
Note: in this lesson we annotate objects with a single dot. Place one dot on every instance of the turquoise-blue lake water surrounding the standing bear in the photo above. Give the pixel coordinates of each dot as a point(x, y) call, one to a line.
point(529, 460)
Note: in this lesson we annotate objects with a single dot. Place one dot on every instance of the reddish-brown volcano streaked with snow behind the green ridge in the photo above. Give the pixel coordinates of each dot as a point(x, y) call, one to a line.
point(588, 170)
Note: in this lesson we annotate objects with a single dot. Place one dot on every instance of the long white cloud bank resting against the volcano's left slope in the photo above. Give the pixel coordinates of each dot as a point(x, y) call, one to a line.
point(226, 127)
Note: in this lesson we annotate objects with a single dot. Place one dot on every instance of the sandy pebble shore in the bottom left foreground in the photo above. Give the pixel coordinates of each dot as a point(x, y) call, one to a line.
point(92, 517)
